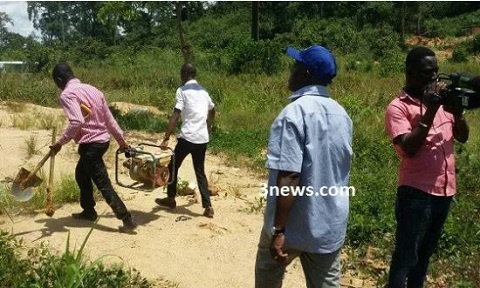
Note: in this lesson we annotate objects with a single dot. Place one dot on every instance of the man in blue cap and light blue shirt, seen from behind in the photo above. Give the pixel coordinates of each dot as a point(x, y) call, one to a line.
point(309, 155)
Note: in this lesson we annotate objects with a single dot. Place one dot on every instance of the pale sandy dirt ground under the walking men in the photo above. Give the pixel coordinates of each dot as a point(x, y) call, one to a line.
point(173, 248)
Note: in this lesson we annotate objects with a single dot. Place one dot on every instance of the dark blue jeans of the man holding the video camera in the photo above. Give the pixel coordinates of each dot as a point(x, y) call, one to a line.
point(420, 218)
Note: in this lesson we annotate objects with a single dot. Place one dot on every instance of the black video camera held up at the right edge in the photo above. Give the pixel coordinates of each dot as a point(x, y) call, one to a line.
point(463, 90)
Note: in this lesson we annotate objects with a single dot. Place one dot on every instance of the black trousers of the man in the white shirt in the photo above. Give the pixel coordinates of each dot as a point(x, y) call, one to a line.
point(182, 149)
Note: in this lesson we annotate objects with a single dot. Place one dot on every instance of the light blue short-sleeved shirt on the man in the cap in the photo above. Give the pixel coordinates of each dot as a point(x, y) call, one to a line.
point(312, 136)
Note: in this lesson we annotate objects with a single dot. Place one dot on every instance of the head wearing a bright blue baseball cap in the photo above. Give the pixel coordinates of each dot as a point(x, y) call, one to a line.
point(315, 65)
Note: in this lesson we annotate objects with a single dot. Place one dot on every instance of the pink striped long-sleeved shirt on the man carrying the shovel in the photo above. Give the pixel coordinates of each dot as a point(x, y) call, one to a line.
point(87, 126)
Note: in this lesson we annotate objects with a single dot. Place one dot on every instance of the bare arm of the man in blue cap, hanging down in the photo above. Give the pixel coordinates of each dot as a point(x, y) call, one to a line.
point(283, 207)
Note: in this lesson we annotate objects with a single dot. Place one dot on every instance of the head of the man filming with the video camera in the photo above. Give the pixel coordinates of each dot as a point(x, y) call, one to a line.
point(421, 68)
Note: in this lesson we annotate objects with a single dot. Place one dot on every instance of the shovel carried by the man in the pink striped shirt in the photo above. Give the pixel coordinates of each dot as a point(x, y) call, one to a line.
point(22, 188)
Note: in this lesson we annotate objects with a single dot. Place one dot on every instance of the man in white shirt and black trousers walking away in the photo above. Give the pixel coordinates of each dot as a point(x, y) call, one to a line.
point(197, 110)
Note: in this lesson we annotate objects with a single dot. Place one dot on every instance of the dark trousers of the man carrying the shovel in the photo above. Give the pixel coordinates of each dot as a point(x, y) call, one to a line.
point(90, 167)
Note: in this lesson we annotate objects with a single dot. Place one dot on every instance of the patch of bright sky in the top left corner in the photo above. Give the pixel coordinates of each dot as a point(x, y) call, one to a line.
point(17, 11)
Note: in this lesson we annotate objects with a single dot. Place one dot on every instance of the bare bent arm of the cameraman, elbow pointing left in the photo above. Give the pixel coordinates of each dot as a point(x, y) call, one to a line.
point(411, 143)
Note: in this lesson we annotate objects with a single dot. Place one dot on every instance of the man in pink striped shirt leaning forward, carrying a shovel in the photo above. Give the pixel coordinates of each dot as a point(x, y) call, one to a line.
point(90, 125)
